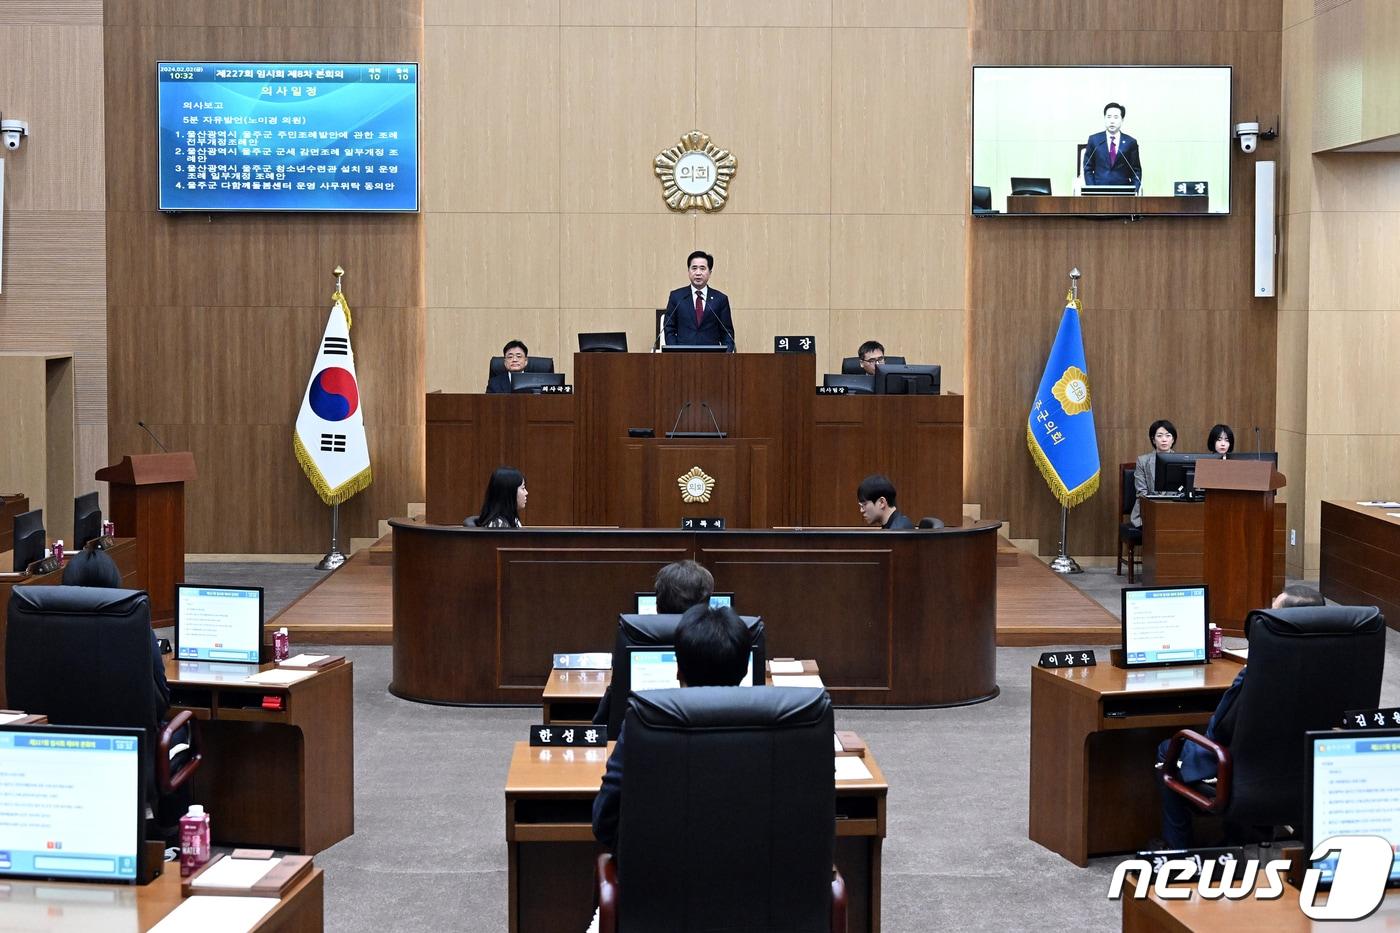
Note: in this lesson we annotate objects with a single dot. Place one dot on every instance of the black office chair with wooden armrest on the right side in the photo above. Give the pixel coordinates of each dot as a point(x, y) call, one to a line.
point(1307, 668)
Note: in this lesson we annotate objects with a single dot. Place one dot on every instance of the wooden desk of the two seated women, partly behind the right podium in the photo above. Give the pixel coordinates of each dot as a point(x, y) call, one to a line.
point(1174, 548)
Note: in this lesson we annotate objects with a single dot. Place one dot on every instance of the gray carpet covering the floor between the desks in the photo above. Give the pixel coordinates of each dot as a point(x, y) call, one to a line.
point(429, 851)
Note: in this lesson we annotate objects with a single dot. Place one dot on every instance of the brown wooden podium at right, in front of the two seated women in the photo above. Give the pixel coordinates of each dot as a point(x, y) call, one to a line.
point(1240, 537)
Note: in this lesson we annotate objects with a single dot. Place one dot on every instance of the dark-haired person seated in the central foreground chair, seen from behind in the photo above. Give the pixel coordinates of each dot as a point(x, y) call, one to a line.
point(712, 651)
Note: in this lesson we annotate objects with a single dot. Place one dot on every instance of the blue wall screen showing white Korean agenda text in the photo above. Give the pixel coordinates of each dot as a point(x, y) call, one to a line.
point(279, 137)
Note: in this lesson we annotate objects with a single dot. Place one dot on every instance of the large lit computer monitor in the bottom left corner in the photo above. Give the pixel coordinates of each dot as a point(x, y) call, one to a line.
point(72, 803)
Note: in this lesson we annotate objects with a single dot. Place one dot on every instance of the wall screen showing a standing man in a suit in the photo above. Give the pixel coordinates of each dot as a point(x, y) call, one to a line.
point(1053, 130)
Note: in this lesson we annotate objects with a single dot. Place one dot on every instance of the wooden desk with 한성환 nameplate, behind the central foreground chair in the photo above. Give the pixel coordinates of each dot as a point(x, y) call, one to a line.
point(549, 838)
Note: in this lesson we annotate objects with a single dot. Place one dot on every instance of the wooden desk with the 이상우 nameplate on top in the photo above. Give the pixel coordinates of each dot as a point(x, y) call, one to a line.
point(1094, 736)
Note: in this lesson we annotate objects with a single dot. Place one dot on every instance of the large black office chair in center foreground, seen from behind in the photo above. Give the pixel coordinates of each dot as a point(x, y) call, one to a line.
point(752, 847)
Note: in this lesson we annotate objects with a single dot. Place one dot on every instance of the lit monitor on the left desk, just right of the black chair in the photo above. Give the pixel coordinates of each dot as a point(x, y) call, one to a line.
point(218, 624)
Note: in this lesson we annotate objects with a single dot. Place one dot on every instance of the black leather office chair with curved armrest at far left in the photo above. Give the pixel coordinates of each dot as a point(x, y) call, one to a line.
point(82, 656)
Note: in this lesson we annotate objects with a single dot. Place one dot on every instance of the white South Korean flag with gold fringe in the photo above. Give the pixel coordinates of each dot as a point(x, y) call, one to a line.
point(330, 439)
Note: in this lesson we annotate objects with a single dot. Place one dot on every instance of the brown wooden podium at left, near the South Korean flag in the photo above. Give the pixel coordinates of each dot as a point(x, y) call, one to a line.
point(146, 501)
